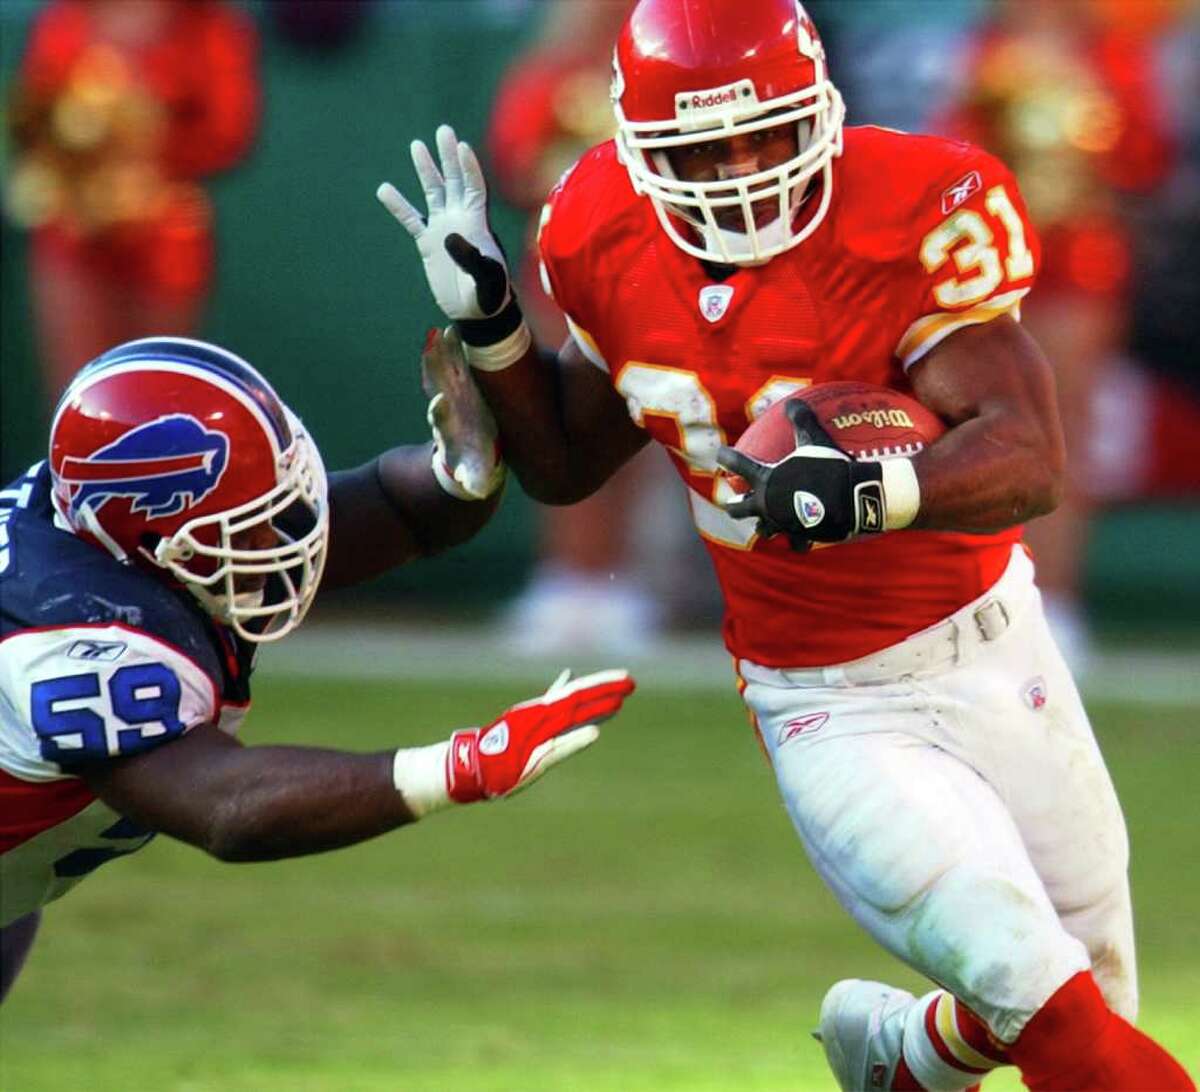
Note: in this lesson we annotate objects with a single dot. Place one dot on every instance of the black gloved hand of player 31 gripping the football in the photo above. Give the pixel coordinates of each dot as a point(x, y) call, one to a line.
point(814, 495)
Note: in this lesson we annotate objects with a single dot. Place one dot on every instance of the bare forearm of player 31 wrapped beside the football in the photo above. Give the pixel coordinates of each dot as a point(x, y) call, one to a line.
point(987, 475)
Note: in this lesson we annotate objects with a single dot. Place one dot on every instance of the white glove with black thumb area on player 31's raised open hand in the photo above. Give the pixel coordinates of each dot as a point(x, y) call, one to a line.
point(457, 199)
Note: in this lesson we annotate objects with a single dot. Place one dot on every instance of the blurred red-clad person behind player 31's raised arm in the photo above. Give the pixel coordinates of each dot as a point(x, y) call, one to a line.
point(554, 105)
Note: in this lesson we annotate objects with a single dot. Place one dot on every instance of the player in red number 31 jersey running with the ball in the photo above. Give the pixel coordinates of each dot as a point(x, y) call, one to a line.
point(733, 244)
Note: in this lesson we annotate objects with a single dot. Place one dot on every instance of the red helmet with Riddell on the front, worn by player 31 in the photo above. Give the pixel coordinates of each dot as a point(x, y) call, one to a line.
point(693, 71)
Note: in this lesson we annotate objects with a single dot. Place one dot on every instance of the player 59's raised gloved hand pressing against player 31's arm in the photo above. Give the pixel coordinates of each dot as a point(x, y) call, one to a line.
point(466, 453)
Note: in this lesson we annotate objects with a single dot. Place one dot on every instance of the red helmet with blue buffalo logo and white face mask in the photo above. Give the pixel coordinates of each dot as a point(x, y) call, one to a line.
point(178, 457)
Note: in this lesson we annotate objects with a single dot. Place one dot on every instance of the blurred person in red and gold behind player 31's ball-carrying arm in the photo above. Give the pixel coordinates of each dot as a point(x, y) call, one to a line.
point(1067, 95)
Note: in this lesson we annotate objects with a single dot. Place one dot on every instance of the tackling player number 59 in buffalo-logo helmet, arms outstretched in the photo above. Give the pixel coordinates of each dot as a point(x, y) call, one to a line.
point(184, 518)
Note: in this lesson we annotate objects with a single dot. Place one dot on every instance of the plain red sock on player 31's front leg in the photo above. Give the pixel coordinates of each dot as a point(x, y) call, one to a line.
point(1075, 1041)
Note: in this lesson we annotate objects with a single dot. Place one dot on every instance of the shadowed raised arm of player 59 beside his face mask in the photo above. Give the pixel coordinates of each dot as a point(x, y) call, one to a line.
point(393, 511)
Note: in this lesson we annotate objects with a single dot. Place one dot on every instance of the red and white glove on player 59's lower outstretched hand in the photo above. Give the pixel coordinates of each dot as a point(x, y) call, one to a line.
point(530, 739)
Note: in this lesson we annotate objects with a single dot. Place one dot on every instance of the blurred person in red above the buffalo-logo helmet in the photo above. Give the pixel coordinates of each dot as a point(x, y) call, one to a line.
point(119, 109)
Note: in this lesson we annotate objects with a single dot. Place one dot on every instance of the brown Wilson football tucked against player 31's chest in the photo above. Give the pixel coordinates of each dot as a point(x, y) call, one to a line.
point(866, 423)
